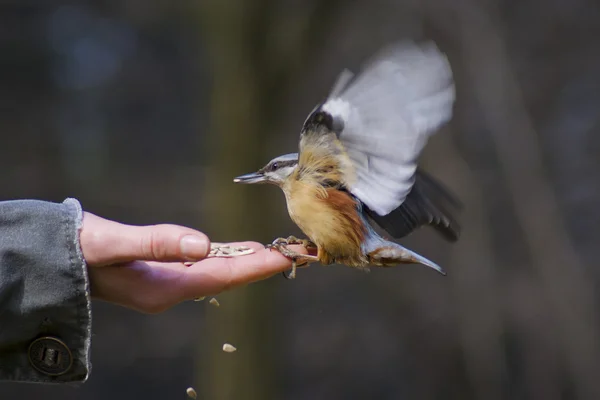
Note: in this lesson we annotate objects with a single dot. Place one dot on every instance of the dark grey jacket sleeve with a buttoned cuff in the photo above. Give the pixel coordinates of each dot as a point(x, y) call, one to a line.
point(45, 317)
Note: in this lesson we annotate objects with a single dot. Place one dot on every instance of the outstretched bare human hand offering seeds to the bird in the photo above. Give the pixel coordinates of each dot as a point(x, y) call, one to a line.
point(142, 267)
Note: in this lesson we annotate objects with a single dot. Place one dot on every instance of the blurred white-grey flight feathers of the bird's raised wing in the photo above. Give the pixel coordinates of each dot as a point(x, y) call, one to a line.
point(389, 111)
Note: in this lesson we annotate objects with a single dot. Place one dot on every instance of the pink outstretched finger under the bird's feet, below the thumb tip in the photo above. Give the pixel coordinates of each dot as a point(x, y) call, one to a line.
point(214, 275)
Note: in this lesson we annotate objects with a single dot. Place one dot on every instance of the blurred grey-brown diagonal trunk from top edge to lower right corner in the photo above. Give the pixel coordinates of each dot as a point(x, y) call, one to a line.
point(568, 289)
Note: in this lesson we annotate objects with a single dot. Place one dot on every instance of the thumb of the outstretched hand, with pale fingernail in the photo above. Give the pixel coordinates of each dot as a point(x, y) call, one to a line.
point(106, 242)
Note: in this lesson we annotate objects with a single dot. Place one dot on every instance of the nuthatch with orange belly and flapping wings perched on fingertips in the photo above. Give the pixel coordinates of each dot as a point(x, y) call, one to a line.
point(357, 163)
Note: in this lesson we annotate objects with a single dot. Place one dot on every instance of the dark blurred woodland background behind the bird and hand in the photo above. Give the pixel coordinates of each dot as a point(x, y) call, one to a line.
point(145, 110)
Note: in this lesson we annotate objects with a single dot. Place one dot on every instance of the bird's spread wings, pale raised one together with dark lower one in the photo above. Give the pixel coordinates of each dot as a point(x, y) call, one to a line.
point(376, 125)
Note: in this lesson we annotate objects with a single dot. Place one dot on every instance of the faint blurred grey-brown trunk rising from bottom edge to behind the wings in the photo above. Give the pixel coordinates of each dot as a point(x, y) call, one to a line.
point(479, 323)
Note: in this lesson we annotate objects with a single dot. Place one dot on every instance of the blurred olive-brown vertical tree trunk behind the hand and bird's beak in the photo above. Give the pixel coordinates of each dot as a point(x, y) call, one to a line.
point(245, 101)
